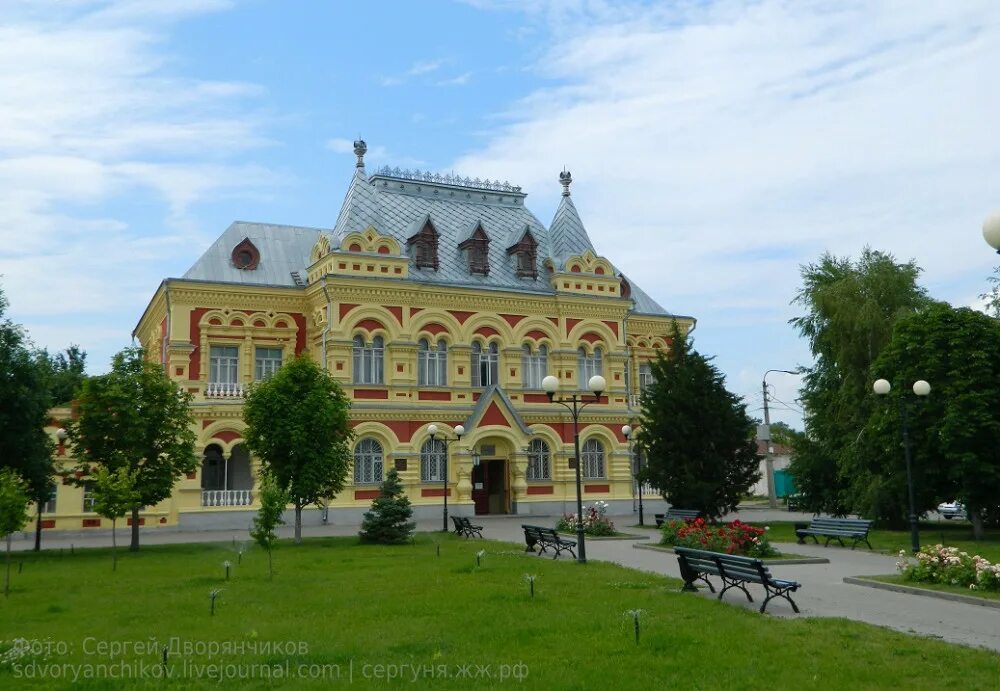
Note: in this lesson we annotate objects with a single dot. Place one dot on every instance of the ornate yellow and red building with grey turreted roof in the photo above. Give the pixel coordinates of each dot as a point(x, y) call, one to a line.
point(433, 299)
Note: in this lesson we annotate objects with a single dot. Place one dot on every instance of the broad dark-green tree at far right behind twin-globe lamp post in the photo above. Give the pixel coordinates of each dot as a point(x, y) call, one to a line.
point(955, 431)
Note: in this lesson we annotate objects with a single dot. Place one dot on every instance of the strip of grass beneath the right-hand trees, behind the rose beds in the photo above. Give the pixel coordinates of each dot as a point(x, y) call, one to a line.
point(949, 533)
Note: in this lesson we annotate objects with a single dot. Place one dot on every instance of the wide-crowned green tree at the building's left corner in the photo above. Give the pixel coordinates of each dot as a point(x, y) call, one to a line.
point(135, 417)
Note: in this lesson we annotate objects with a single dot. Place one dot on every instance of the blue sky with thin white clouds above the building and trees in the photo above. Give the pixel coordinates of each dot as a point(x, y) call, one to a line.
point(716, 147)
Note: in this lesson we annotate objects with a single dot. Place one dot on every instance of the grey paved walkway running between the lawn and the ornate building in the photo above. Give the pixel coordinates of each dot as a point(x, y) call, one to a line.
point(823, 592)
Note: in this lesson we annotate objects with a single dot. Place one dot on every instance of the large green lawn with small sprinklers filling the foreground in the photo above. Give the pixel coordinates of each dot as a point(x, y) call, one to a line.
point(365, 612)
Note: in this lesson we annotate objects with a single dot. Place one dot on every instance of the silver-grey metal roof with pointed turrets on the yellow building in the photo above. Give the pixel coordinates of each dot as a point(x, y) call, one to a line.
point(398, 203)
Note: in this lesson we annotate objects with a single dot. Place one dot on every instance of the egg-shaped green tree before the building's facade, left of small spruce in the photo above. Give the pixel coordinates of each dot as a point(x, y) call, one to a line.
point(298, 426)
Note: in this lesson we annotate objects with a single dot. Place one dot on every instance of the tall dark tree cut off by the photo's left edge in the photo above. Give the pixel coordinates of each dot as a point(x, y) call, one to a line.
point(24, 410)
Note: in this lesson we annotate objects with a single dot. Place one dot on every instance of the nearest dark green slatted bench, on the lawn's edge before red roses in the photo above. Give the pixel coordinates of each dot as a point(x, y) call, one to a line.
point(735, 571)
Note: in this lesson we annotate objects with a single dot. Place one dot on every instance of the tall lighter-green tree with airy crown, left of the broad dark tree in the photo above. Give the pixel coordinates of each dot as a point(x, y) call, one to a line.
point(850, 309)
